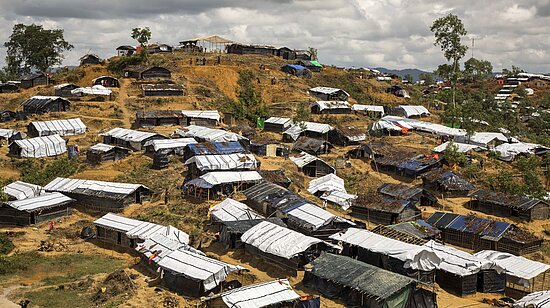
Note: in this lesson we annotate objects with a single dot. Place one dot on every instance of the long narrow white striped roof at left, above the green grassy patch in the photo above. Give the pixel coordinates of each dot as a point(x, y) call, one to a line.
point(70, 185)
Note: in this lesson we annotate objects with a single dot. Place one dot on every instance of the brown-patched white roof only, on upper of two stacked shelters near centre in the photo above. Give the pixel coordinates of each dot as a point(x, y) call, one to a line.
point(224, 162)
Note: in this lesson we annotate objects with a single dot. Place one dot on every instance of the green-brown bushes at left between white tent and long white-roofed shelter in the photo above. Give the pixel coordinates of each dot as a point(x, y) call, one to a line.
point(41, 171)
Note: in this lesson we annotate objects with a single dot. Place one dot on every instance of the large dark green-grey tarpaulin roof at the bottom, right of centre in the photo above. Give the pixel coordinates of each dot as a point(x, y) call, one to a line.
point(367, 279)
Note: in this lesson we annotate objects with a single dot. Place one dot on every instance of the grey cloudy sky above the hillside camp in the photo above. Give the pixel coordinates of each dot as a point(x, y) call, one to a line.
point(369, 33)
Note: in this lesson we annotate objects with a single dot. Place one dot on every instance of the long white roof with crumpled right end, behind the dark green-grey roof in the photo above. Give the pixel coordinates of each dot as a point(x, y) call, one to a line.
point(413, 256)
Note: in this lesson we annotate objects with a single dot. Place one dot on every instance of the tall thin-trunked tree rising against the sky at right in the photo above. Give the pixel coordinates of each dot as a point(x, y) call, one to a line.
point(448, 32)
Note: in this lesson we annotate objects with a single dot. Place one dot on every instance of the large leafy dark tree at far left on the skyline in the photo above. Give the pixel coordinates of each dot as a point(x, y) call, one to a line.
point(33, 47)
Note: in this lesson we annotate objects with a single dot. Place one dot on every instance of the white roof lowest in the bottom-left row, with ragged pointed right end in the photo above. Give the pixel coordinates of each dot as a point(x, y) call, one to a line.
point(197, 267)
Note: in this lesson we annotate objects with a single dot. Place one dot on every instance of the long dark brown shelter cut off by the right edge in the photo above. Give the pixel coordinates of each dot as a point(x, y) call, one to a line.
point(505, 205)
